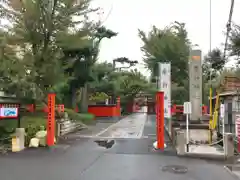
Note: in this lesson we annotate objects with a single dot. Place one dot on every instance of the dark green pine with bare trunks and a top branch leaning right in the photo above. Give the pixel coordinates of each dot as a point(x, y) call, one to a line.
point(82, 61)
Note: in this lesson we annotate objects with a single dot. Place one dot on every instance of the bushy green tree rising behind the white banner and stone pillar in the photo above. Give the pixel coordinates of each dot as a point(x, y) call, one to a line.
point(167, 45)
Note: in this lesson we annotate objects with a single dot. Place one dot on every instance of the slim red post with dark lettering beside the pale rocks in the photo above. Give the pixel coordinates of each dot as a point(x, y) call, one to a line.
point(51, 119)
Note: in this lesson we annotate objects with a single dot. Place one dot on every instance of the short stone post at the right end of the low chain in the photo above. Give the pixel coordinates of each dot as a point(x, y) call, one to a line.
point(228, 145)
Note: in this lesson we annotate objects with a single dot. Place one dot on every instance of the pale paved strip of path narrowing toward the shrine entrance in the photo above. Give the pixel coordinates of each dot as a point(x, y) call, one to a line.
point(130, 127)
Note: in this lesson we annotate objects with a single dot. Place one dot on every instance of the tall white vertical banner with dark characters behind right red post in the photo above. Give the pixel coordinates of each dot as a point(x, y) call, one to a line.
point(165, 86)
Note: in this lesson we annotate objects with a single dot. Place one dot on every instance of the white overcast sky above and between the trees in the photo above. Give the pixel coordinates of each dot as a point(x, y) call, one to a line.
point(126, 16)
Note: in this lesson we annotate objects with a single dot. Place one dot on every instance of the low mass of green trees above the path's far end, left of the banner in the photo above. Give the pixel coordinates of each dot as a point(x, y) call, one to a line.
point(126, 84)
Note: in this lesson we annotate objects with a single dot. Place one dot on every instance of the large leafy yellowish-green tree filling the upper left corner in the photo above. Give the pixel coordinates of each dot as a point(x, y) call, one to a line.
point(31, 49)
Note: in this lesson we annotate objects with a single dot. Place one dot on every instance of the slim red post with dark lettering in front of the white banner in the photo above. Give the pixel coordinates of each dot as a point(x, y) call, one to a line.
point(160, 119)
